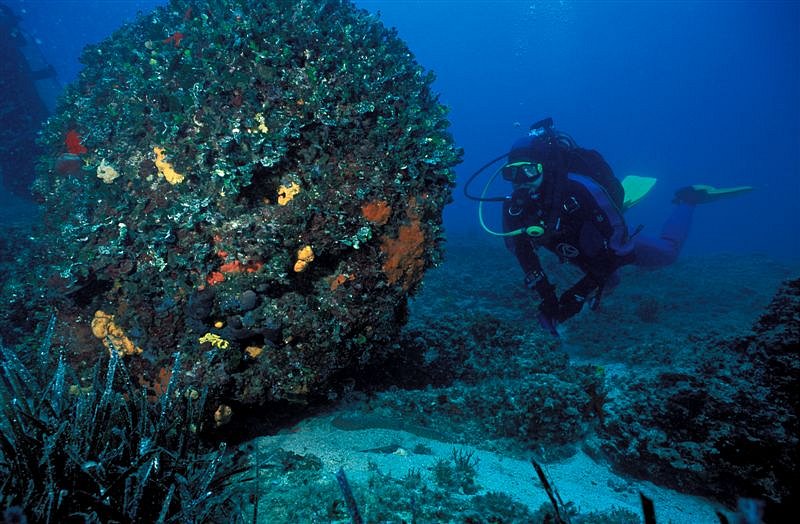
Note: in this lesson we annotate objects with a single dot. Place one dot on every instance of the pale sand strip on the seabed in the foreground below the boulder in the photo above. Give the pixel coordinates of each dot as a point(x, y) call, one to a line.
point(591, 486)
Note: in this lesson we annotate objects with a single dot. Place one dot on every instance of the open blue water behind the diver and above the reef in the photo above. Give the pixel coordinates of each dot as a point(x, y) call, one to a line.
point(688, 92)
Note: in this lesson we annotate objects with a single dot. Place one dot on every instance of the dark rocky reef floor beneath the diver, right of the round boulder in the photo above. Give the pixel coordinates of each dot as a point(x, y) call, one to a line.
point(704, 404)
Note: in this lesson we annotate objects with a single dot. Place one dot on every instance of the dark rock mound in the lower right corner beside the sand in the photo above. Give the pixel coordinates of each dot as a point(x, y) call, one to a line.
point(725, 425)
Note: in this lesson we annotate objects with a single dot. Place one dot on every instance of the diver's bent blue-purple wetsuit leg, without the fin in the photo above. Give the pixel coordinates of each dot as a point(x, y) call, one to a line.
point(664, 250)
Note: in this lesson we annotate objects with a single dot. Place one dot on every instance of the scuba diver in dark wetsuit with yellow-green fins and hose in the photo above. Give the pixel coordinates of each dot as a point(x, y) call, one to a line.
point(567, 200)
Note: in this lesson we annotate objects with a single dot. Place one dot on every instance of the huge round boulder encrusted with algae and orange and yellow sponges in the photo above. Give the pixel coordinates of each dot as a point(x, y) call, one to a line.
point(260, 188)
